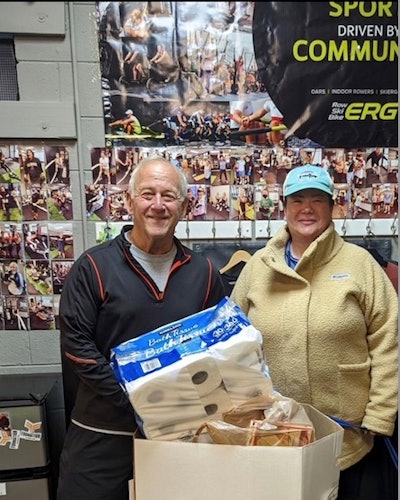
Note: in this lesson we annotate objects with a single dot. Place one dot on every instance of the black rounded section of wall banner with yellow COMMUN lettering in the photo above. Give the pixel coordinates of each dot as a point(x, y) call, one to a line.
point(331, 67)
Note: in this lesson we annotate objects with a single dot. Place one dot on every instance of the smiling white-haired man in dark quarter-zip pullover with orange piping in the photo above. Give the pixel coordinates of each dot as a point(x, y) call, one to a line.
point(130, 285)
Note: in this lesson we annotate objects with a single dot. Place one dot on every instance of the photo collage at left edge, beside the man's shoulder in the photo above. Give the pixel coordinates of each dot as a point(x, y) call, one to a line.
point(36, 236)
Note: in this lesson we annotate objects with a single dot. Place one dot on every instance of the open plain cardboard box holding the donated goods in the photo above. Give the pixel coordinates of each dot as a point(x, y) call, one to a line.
point(172, 470)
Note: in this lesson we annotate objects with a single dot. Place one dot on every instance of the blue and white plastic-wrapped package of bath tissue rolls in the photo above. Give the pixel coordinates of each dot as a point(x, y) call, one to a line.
point(182, 374)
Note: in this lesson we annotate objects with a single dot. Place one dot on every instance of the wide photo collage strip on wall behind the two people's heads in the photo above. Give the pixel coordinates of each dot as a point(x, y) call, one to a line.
point(245, 183)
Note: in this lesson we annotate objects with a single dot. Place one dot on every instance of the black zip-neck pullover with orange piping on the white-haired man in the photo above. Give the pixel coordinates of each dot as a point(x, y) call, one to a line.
point(109, 298)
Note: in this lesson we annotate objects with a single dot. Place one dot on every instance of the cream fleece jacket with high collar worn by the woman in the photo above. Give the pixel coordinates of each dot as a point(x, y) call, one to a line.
point(329, 330)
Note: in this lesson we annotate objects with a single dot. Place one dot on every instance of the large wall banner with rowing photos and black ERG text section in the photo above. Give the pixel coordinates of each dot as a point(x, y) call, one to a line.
point(276, 74)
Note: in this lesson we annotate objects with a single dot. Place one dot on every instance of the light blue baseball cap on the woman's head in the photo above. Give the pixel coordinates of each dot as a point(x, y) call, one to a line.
point(307, 177)
